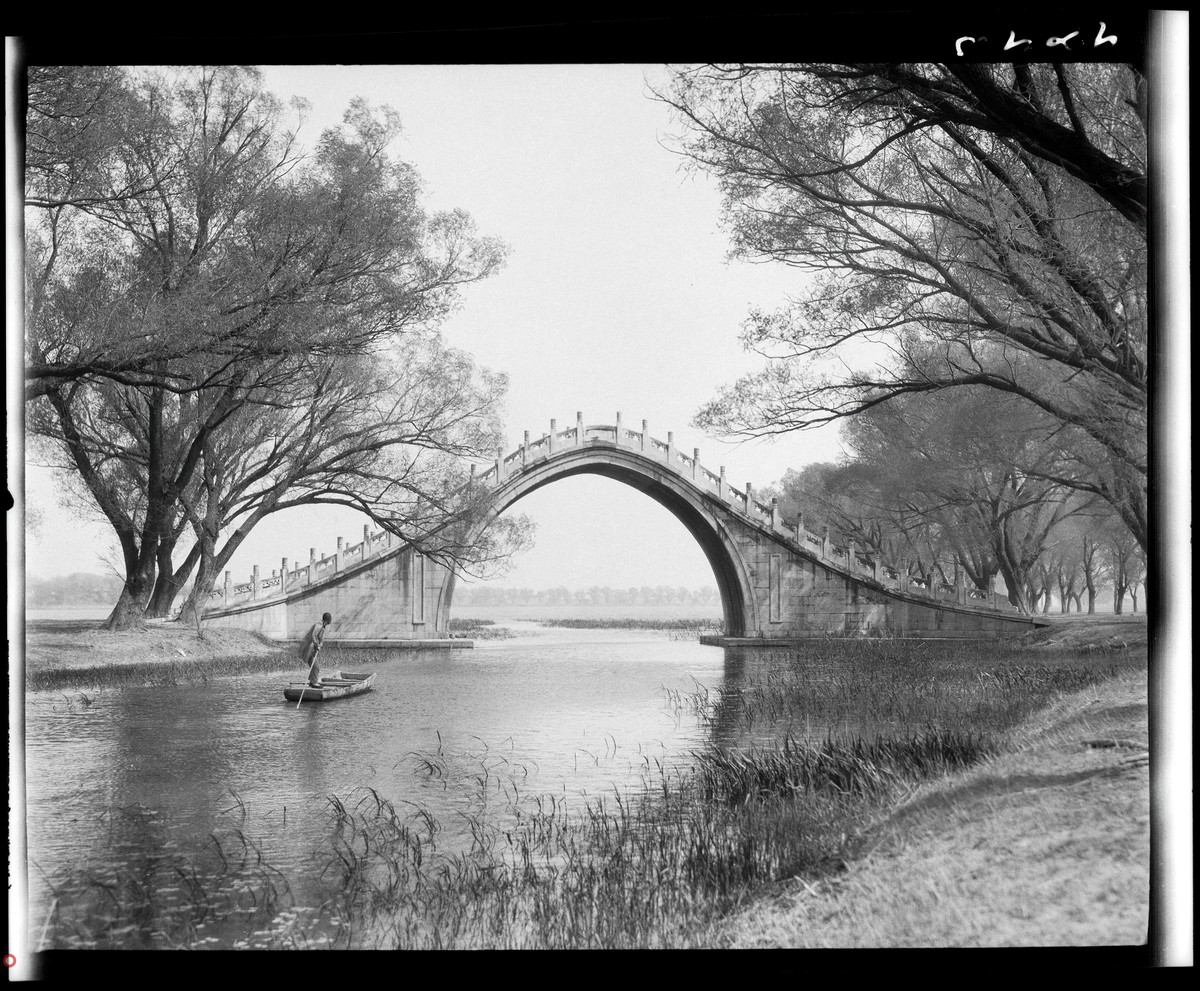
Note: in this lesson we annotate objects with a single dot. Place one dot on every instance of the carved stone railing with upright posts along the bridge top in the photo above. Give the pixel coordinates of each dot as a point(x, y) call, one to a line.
point(848, 558)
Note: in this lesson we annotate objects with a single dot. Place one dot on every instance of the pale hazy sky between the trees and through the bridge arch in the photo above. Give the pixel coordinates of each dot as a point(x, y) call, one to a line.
point(617, 297)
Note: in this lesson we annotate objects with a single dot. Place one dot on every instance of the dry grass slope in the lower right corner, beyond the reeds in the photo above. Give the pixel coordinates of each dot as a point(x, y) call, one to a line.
point(1045, 846)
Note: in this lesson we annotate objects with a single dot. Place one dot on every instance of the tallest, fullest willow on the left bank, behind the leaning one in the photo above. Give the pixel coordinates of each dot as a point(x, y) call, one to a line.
point(157, 315)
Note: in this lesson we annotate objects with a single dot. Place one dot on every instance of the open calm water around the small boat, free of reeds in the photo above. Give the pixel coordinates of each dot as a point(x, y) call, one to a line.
point(147, 772)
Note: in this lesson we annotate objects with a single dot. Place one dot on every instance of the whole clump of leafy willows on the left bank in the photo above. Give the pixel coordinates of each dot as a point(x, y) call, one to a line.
point(221, 326)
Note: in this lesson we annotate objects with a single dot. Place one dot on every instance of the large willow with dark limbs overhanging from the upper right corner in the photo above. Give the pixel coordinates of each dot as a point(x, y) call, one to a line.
point(994, 215)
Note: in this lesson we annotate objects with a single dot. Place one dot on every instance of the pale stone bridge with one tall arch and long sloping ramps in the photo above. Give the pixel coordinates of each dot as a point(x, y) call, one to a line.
point(778, 581)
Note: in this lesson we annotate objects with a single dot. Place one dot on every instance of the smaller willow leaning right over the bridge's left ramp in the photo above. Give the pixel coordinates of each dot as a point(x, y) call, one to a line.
point(391, 435)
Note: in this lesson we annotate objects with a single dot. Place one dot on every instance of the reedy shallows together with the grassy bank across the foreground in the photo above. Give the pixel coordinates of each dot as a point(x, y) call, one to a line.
point(997, 800)
